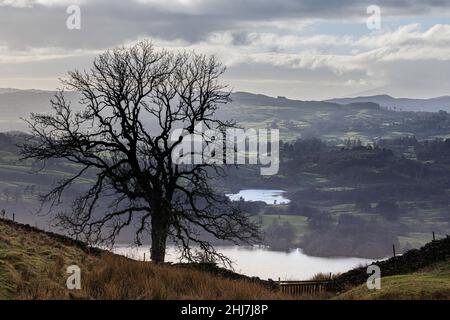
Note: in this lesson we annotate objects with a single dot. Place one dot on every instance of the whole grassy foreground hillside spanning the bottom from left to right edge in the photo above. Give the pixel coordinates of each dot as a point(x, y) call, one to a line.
point(33, 265)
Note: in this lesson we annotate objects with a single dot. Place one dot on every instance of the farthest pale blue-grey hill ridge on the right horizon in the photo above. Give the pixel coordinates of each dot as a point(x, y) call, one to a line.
point(405, 104)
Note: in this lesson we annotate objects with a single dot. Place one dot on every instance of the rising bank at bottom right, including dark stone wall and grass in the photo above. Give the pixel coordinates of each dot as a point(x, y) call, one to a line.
point(418, 274)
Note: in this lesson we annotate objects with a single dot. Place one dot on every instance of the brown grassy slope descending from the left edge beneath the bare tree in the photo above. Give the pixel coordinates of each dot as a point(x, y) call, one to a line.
point(33, 266)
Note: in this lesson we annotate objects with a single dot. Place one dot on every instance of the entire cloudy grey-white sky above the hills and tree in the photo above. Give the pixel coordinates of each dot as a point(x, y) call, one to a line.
point(305, 49)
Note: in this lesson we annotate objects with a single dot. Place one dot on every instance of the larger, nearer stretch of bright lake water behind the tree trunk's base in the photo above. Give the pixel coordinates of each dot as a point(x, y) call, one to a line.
point(263, 263)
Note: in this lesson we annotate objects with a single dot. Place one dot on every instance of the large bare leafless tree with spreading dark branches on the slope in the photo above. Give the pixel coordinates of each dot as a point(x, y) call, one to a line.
point(124, 91)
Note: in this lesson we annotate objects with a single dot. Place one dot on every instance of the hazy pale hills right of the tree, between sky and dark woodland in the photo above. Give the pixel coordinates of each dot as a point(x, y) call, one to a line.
point(338, 120)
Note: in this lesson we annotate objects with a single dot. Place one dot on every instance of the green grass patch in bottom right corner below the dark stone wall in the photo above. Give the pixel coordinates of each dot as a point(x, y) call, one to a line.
point(432, 282)
